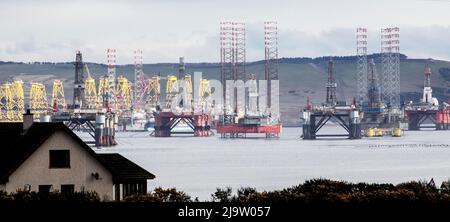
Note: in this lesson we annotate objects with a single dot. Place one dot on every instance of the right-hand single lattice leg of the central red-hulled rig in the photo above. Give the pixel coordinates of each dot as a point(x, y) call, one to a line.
point(271, 64)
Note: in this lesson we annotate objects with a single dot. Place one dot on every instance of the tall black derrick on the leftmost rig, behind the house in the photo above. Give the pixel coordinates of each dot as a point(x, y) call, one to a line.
point(78, 92)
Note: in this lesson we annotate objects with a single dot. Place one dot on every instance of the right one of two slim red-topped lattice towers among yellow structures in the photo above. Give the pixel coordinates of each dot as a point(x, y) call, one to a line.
point(140, 84)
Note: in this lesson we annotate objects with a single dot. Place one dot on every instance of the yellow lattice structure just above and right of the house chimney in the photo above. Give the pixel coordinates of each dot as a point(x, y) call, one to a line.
point(38, 99)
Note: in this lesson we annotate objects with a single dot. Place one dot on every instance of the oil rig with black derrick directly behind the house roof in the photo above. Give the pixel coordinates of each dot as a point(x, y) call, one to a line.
point(83, 114)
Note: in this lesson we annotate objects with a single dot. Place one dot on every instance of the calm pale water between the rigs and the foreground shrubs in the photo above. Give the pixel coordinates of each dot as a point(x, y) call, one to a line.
point(199, 165)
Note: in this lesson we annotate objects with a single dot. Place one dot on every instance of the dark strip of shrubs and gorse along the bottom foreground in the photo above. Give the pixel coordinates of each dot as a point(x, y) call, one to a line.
point(317, 191)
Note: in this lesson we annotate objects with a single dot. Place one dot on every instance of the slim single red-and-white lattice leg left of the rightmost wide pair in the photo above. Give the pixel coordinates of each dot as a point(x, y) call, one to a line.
point(361, 64)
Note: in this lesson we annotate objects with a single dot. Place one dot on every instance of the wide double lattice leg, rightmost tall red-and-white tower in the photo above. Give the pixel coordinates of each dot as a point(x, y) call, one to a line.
point(390, 79)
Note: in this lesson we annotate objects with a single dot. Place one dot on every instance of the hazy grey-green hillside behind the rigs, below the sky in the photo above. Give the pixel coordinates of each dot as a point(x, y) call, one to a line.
point(299, 78)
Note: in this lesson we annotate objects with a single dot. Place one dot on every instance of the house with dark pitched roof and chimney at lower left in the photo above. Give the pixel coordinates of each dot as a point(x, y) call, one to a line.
point(45, 157)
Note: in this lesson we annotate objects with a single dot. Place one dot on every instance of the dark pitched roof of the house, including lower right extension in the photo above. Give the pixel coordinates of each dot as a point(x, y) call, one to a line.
point(17, 145)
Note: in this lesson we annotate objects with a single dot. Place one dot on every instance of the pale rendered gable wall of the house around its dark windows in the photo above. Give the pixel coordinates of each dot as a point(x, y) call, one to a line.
point(35, 170)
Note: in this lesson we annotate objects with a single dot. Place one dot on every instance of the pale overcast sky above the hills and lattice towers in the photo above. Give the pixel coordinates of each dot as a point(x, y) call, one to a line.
point(52, 30)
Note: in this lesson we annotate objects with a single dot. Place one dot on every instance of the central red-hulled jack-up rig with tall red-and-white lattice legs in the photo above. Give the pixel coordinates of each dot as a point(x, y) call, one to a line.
point(248, 107)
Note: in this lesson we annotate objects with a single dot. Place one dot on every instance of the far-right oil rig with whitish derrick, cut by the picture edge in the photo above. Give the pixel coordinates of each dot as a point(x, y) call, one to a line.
point(427, 113)
